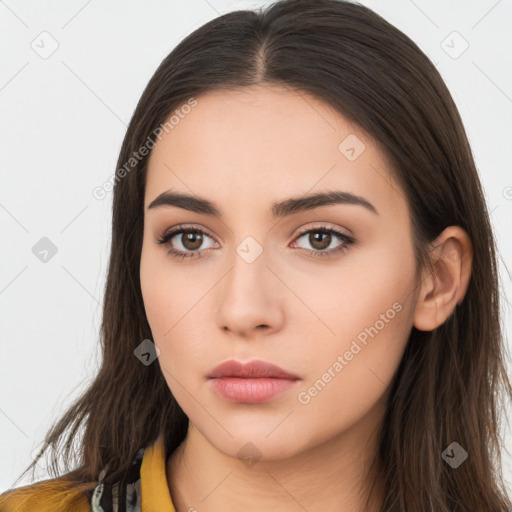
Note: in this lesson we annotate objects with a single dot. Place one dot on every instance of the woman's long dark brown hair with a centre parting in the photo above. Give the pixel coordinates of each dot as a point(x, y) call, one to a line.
point(450, 381)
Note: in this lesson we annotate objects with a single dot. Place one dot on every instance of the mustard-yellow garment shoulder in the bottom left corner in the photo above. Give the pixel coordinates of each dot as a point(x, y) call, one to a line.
point(55, 495)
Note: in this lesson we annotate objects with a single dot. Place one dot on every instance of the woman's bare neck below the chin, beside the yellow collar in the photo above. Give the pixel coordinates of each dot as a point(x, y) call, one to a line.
point(329, 476)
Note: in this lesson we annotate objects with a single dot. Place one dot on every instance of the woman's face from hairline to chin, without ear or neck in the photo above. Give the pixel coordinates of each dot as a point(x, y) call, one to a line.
point(325, 292)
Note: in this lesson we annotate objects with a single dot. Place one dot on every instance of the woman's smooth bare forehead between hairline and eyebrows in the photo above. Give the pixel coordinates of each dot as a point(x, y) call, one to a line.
point(265, 143)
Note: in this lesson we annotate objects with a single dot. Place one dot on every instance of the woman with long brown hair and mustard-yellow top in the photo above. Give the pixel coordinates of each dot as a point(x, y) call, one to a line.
point(302, 307)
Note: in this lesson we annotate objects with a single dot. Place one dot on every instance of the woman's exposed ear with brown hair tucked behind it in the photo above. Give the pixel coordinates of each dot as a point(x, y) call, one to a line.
point(444, 287)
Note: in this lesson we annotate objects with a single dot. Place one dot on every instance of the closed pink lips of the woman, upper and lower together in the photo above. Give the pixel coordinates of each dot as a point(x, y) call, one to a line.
point(251, 383)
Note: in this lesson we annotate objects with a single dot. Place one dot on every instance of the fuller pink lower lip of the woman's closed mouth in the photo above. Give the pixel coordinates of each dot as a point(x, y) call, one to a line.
point(250, 391)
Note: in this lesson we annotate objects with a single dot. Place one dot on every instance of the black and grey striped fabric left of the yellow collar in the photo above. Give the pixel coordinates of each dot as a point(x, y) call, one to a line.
point(105, 496)
